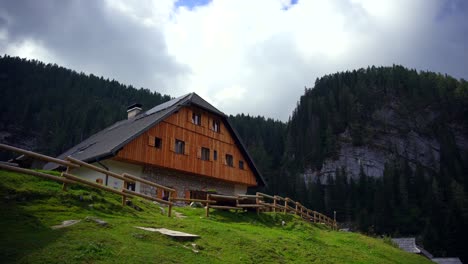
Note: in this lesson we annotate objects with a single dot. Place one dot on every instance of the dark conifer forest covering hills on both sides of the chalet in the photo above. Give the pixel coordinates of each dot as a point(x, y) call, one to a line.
point(412, 193)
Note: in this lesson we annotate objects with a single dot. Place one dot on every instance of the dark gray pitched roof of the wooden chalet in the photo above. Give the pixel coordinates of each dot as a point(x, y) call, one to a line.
point(110, 140)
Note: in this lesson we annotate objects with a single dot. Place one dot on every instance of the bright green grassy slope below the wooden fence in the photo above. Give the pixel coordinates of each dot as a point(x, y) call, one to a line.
point(29, 206)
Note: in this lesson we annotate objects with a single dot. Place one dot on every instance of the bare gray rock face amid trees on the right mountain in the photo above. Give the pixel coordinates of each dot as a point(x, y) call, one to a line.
point(392, 134)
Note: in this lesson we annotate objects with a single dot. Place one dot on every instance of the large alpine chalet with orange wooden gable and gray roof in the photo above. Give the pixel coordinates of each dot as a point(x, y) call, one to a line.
point(186, 144)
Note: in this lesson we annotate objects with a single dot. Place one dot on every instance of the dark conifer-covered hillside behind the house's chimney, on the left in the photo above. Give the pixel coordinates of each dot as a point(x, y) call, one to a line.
point(50, 108)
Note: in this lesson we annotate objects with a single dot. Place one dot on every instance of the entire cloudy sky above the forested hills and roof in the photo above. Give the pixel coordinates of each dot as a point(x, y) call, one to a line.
point(252, 56)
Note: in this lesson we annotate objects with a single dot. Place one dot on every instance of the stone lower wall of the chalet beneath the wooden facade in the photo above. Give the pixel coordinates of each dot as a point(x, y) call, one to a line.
point(183, 182)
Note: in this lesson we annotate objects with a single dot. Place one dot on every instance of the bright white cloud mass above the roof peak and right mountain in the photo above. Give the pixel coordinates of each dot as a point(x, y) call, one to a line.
point(272, 53)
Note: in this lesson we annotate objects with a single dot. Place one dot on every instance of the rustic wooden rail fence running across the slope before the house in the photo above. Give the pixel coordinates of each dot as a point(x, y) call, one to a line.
point(260, 202)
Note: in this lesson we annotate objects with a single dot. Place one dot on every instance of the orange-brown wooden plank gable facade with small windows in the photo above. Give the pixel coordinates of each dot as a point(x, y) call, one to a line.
point(157, 147)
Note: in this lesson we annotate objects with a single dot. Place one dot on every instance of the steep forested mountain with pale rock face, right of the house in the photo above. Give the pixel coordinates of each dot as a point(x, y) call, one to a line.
point(387, 148)
